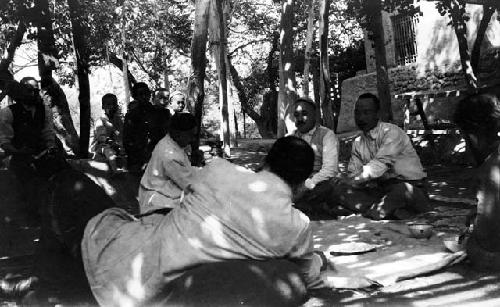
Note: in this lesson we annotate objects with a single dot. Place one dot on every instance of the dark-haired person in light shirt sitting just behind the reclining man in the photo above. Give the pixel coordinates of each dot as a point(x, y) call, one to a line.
point(169, 171)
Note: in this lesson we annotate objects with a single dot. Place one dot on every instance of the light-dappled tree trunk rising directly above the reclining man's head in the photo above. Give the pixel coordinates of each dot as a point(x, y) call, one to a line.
point(287, 73)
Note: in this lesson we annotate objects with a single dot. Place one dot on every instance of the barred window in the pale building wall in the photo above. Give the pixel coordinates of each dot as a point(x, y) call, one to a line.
point(403, 27)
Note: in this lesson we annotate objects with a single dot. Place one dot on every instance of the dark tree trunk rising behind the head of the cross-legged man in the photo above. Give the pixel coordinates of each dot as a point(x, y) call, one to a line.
point(377, 28)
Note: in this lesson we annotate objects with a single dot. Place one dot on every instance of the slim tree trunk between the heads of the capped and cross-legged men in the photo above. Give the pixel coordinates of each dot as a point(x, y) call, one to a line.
point(324, 71)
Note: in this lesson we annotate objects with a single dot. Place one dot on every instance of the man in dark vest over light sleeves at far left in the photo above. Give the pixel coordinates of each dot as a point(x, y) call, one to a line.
point(26, 129)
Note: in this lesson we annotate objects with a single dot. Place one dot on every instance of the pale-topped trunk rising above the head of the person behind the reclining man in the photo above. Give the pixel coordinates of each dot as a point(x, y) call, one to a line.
point(199, 63)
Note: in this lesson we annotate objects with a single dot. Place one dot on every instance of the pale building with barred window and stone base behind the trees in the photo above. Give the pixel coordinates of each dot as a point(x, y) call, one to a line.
point(424, 63)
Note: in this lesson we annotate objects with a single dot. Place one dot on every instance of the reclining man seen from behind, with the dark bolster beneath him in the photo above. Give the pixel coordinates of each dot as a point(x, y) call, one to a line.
point(234, 239)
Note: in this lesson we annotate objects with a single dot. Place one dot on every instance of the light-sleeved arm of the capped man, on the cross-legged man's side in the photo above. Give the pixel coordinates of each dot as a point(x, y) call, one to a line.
point(329, 168)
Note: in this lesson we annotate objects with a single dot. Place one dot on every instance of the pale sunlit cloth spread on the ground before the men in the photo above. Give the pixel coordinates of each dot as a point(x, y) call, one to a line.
point(396, 256)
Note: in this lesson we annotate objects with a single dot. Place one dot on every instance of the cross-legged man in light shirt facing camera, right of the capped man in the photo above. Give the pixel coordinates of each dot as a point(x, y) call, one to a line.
point(385, 176)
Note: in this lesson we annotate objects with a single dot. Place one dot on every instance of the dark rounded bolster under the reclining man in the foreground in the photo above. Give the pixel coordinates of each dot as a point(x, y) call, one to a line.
point(235, 283)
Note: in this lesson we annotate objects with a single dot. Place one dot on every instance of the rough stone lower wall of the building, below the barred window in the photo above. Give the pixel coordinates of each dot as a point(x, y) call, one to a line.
point(432, 85)
